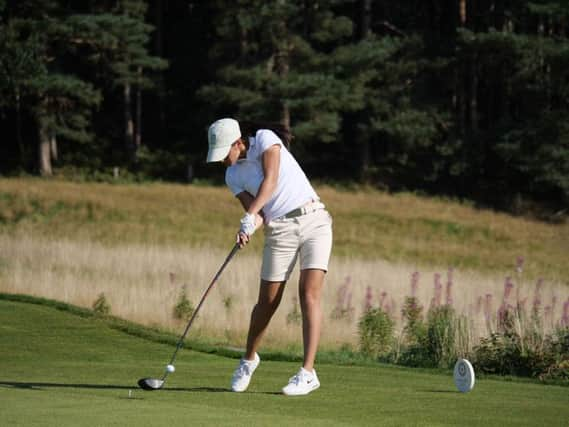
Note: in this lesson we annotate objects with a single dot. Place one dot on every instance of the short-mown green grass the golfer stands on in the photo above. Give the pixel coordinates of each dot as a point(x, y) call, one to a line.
point(59, 369)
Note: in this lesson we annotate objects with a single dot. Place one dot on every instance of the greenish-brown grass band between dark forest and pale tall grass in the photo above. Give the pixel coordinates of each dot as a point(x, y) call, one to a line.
point(368, 224)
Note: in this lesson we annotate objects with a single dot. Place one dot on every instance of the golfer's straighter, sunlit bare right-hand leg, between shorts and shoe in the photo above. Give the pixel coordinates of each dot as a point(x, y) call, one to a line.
point(310, 291)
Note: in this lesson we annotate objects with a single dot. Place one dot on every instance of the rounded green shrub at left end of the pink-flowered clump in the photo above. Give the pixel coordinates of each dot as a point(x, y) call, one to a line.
point(376, 333)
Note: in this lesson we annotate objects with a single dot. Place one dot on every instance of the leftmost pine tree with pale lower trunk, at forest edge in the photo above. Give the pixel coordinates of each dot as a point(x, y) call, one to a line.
point(60, 103)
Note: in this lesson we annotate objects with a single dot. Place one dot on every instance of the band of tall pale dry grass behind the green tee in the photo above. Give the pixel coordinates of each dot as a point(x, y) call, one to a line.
point(142, 283)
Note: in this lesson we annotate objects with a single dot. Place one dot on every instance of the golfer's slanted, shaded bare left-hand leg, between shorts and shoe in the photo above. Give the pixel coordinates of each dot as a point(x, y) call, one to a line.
point(270, 295)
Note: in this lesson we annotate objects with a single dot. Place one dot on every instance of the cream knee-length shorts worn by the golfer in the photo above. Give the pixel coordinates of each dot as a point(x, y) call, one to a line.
point(308, 236)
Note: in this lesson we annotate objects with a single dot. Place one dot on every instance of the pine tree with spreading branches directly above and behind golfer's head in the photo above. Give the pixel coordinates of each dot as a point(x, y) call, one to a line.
point(272, 65)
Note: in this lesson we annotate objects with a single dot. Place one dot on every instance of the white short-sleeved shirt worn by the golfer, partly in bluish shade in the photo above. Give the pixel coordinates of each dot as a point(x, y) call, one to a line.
point(293, 188)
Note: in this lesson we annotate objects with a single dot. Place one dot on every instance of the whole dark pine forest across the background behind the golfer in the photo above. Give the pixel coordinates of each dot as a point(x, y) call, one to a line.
point(466, 99)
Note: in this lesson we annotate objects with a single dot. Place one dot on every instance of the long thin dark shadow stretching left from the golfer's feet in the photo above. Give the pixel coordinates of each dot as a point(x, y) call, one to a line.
point(39, 386)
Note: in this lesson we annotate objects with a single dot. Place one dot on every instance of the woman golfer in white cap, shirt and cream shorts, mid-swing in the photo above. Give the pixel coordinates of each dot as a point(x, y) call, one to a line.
point(274, 191)
